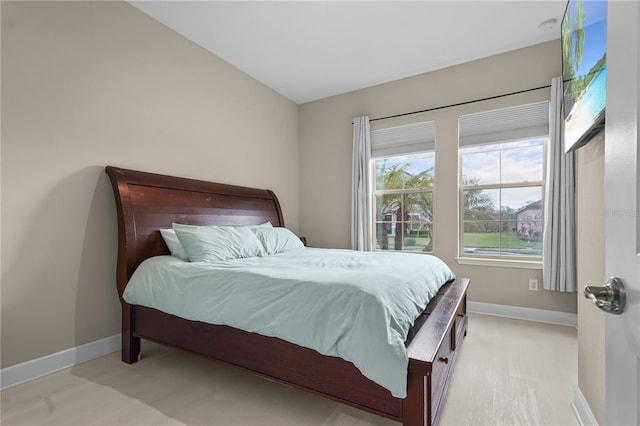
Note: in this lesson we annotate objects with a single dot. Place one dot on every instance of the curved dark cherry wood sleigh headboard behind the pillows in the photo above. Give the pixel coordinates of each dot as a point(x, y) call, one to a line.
point(147, 202)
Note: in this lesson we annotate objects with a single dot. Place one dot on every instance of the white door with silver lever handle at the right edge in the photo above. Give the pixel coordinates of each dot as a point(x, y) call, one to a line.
point(622, 218)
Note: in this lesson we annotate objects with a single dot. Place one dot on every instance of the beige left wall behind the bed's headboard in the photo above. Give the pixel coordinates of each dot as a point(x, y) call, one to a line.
point(86, 84)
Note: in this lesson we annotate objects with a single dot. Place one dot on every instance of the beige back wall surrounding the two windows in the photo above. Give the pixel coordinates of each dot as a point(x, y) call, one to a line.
point(325, 157)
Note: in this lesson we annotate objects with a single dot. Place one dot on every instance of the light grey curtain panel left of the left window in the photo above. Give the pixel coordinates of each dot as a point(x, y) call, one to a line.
point(361, 220)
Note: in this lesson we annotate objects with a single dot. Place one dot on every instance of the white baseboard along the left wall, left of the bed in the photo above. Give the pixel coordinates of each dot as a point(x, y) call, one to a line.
point(30, 370)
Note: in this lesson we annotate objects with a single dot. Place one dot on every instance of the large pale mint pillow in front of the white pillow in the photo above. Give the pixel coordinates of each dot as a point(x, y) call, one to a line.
point(214, 243)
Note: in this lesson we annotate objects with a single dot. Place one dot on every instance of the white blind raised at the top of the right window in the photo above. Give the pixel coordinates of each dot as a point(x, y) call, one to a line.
point(503, 125)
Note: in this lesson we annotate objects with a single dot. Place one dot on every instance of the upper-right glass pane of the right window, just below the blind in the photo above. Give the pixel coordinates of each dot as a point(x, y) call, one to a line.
point(522, 164)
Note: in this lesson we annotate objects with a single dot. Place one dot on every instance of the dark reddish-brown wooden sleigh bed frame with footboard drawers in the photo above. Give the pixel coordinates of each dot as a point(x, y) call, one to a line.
point(147, 202)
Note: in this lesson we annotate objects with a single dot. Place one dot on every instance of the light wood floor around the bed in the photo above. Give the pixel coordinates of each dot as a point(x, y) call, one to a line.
point(509, 372)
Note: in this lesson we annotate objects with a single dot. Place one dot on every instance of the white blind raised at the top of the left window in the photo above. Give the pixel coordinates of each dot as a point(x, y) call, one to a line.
point(407, 139)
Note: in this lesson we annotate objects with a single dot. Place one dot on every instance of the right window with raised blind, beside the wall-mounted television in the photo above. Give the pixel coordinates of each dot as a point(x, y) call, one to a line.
point(502, 180)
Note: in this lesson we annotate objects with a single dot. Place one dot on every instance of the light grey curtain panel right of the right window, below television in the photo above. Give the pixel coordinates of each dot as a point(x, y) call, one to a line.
point(559, 246)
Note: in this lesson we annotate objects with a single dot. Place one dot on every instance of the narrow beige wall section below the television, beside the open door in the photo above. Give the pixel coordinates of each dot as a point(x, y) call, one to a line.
point(590, 258)
